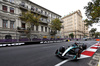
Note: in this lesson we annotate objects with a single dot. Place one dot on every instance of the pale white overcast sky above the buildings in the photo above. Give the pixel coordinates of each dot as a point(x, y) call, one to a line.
point(65, 7)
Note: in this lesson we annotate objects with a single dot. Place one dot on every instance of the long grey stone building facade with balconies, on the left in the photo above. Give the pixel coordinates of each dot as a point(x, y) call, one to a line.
point(10, 10)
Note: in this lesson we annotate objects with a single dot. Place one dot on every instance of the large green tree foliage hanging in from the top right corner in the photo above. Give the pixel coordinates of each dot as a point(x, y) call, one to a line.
point(92, 12)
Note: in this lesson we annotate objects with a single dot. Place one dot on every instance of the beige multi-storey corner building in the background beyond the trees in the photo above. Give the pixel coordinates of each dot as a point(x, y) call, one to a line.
point(73, 24)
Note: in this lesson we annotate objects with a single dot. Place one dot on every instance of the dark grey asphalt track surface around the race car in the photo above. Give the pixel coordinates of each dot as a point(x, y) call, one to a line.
point(38, 55)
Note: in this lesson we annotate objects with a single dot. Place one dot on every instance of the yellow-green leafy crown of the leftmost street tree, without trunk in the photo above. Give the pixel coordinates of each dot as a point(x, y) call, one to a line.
point(30, 18)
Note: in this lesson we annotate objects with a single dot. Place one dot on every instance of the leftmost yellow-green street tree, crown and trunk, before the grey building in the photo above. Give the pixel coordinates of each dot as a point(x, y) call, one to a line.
point(31, 20)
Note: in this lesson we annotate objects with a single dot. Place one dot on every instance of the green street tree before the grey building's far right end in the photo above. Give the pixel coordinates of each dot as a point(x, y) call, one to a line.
point(55, 25)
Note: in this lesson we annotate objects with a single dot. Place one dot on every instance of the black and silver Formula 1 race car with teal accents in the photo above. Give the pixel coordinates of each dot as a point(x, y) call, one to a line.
point(72, 52)
